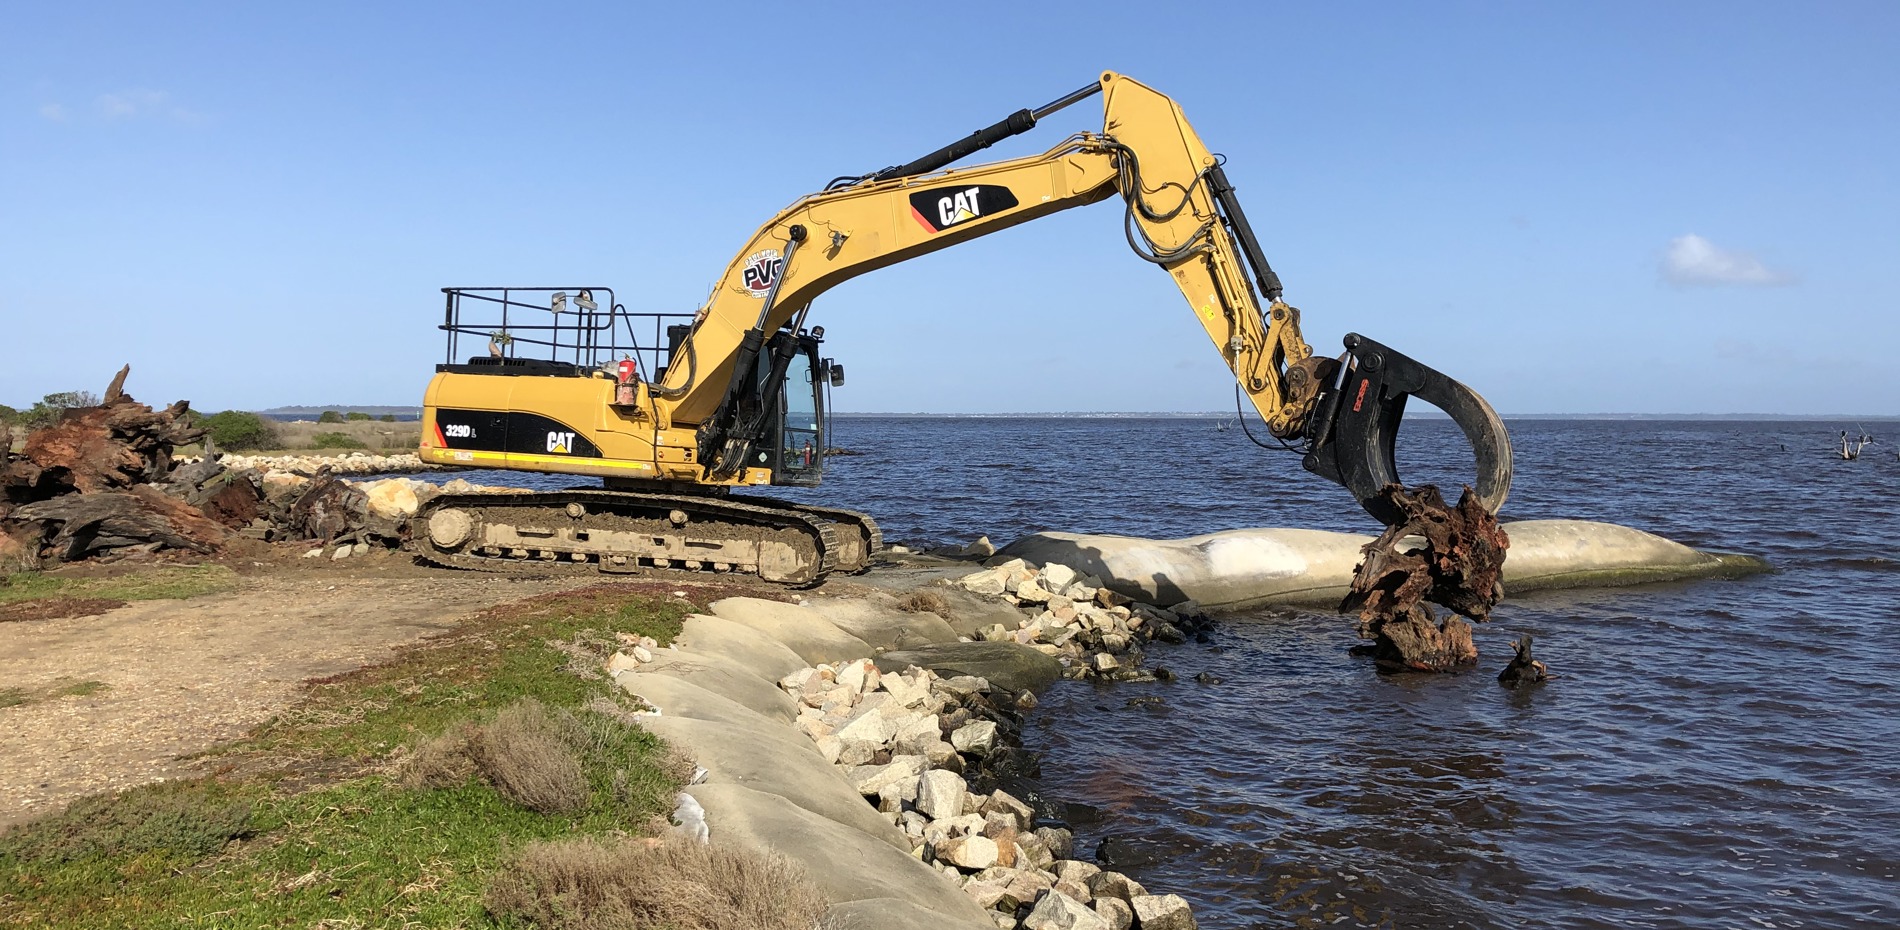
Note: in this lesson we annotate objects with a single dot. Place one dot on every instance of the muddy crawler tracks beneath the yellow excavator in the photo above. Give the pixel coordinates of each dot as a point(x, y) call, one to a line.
point(641, 533)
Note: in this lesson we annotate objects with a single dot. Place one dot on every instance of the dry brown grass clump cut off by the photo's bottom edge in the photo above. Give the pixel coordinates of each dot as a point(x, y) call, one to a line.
point(647, 885)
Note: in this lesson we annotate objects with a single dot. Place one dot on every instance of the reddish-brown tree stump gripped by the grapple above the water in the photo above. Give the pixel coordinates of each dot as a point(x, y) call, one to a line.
point(1456, 564)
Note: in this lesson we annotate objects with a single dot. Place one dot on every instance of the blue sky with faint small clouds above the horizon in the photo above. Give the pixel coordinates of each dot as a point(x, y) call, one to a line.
point(1570, 206)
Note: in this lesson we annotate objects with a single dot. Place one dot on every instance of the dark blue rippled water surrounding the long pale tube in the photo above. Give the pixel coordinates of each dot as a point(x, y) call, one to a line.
point(1715, 754)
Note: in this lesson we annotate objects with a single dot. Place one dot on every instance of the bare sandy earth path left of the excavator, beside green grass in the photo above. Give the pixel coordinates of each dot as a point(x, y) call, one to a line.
point(183, 676)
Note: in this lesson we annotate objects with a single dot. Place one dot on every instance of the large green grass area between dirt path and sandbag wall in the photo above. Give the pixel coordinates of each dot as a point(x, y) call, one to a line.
point(313, 823)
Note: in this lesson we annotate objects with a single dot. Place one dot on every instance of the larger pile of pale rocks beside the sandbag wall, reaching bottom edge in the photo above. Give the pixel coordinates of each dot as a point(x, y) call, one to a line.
point(905, 741)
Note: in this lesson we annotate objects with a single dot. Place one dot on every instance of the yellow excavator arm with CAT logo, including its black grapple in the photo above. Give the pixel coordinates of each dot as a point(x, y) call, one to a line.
point(1181, 214)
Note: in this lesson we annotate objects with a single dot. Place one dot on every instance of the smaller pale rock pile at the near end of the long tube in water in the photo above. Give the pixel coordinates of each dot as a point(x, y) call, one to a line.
point(1090, 629)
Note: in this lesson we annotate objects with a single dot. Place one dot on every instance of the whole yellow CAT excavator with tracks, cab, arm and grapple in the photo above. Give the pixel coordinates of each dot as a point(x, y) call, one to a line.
point(683, 414)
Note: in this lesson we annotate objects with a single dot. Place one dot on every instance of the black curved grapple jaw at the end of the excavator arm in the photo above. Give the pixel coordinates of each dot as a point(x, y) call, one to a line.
point(1354, 431)
